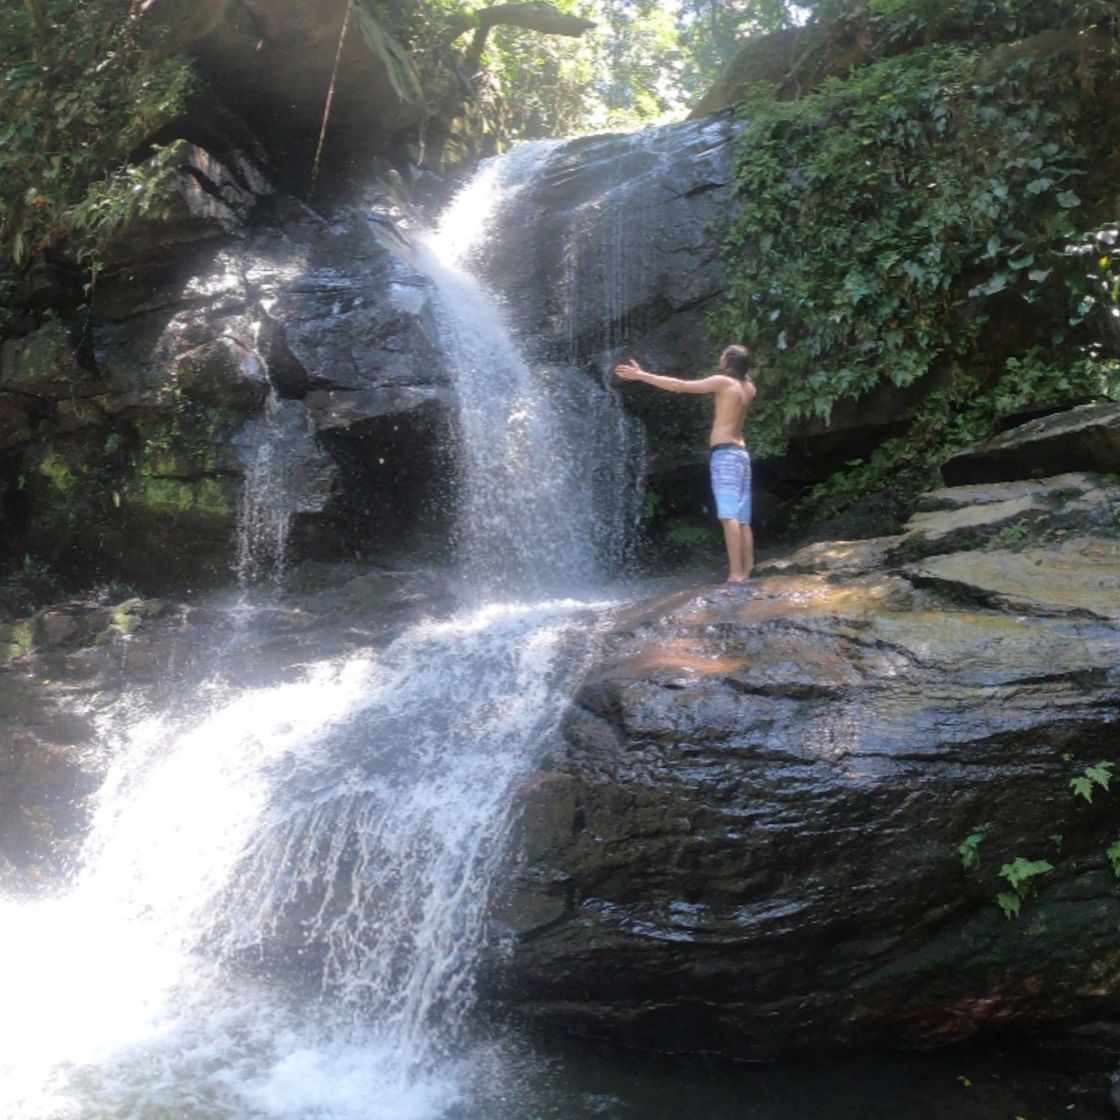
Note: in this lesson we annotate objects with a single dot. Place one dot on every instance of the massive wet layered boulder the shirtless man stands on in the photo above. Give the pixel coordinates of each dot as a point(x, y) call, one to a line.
point(755, 837)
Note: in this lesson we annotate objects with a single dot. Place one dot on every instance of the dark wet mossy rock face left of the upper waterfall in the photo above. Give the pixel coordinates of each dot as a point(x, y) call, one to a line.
point(240, 305)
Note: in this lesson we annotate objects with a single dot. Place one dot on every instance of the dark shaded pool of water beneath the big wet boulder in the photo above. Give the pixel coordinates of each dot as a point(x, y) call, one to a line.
point(567, 1081)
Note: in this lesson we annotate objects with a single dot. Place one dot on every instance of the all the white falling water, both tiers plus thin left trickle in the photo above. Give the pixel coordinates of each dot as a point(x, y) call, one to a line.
point(282, 903)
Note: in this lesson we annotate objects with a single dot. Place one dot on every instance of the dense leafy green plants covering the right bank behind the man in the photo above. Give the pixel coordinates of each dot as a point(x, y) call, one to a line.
point(888, 218)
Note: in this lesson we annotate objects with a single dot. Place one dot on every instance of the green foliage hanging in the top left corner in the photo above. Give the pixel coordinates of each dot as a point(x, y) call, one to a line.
point(78, 99)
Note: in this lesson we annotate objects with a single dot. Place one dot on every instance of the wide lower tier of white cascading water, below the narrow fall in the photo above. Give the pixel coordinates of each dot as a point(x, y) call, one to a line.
point(344, 828)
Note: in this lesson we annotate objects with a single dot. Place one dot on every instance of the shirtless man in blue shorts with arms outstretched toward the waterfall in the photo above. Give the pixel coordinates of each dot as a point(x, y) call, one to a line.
point(731, 463)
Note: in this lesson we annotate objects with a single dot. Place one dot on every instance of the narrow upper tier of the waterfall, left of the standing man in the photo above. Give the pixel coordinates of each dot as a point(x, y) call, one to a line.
point(550, 468)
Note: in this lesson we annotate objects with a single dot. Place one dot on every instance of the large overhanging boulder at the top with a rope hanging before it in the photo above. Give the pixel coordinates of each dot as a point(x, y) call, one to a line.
point(275, 61)
